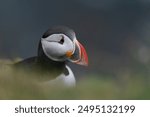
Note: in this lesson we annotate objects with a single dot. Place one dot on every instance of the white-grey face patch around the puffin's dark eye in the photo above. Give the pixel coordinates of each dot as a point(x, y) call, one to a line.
point(56, 46)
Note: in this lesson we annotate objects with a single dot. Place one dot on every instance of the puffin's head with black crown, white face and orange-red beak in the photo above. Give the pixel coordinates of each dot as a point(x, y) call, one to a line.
point(60, 44)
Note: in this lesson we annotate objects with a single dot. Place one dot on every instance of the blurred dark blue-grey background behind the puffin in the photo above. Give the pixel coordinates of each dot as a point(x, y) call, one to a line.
point(115, 33)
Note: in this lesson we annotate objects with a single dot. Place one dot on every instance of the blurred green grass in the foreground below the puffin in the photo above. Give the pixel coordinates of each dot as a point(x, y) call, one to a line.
point(14, 85)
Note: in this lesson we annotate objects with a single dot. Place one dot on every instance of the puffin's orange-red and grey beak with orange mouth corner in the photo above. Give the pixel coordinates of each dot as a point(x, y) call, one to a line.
point(79, 55)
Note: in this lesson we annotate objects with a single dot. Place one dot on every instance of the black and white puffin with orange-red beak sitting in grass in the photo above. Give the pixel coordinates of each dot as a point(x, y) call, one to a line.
point(57, 47)
